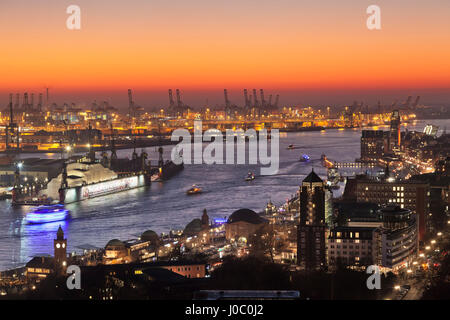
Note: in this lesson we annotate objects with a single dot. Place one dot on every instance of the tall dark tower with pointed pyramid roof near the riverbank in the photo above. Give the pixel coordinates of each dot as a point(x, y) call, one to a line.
point(311, 232)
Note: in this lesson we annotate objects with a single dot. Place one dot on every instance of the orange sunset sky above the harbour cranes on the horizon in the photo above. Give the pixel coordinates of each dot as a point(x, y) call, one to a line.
point(308, 51)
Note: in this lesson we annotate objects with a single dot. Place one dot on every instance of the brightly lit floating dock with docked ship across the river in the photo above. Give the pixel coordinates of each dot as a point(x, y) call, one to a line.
point(89, 177)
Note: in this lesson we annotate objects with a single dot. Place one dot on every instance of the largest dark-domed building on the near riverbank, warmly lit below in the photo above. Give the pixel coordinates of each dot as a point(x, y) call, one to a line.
point(242, 223)
